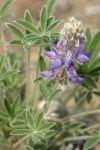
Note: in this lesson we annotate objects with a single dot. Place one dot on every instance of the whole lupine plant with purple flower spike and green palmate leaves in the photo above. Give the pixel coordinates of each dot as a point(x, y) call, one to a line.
point(73, 68)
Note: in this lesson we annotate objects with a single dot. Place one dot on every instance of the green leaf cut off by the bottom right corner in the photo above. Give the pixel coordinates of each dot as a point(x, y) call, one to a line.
point(91, 143)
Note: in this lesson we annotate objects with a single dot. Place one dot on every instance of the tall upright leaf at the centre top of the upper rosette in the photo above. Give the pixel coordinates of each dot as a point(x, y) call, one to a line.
point(43, 18)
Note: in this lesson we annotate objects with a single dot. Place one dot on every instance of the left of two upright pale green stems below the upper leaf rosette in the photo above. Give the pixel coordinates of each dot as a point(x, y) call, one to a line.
point(28, 79)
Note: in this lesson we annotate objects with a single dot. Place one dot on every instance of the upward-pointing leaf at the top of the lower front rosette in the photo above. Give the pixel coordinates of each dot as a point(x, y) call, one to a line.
point(30, 119)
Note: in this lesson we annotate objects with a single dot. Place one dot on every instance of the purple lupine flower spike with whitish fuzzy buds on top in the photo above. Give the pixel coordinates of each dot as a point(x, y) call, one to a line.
point(68, 52)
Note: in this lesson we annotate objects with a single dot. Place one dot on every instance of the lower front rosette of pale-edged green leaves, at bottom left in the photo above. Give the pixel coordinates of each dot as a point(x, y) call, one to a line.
point(34, 127)
